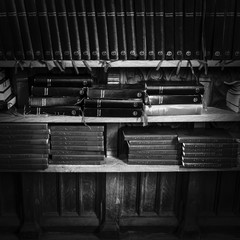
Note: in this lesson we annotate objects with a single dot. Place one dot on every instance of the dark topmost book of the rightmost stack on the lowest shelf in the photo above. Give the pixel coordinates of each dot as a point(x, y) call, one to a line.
point(203, 135)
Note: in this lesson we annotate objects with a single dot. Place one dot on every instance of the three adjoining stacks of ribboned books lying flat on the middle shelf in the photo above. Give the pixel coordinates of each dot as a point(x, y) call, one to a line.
point(78, 96)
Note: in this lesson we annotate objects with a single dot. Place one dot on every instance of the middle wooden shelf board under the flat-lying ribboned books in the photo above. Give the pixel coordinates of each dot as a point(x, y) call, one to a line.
point(209, 115)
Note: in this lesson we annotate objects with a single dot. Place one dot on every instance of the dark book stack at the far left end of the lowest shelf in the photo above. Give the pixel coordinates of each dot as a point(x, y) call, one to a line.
point(24, 146)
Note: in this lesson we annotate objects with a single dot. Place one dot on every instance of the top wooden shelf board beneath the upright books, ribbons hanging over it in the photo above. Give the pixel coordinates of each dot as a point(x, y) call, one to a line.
point(119, 63)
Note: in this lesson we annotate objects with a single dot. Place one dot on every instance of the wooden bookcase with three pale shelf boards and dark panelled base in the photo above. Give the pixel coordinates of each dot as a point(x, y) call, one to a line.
point(115, 197)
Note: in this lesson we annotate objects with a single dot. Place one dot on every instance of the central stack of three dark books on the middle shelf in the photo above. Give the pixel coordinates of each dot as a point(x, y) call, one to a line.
point(114, 101)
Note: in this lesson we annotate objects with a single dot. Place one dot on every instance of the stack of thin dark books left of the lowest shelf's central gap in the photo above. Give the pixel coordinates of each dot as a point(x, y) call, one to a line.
point(77, 144)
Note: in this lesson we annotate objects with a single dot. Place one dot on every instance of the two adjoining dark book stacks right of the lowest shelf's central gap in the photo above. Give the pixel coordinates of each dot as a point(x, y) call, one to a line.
point(199, 148)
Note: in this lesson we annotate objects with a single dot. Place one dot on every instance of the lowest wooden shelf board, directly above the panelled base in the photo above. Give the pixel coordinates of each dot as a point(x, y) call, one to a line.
point(116, 165)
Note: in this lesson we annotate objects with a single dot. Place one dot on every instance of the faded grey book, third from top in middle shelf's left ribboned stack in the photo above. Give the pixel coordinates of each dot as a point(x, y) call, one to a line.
point(52, 101)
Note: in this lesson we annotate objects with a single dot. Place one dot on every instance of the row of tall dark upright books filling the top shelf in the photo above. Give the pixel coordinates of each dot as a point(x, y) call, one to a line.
point(119, 29)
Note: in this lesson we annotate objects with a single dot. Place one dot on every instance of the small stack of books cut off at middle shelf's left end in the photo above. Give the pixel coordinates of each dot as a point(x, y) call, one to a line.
point(7, 98)
